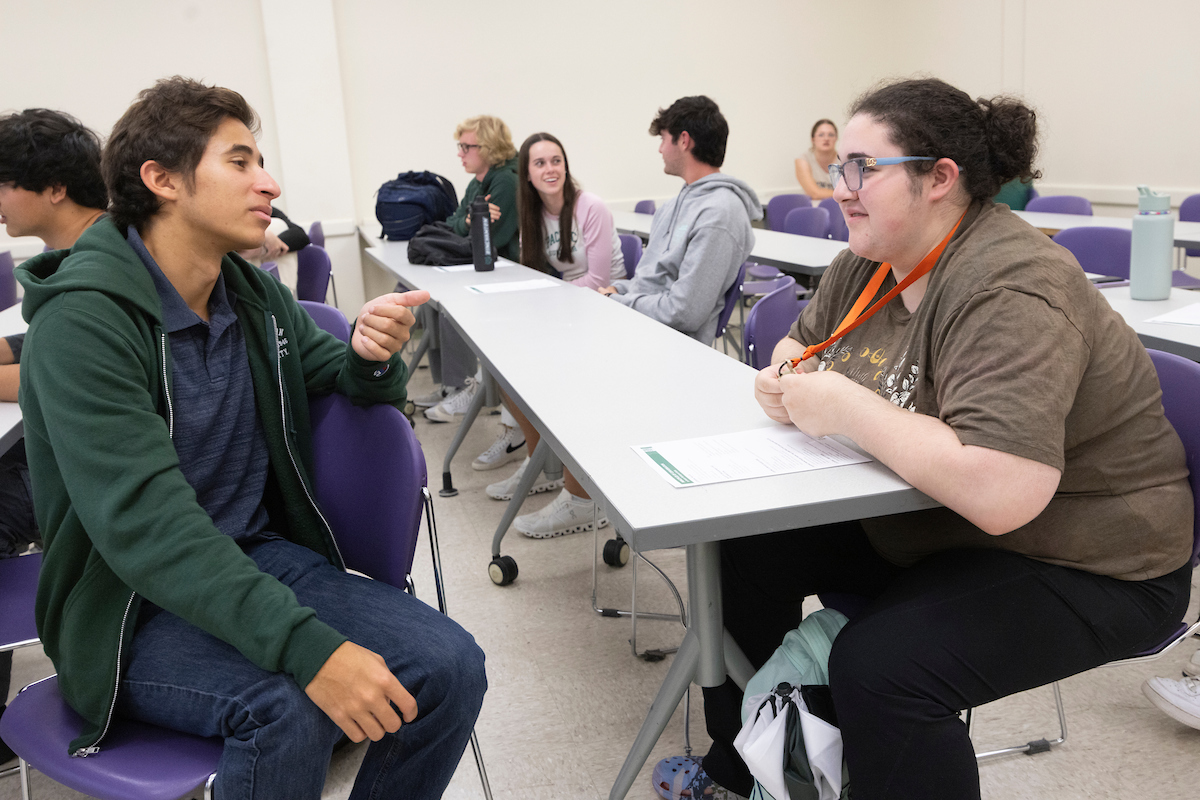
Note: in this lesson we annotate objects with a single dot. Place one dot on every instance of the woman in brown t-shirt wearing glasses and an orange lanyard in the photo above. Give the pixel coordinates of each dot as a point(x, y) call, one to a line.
point(1000, 383)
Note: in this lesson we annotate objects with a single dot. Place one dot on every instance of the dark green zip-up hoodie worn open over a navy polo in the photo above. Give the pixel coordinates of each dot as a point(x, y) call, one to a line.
point(118, 519)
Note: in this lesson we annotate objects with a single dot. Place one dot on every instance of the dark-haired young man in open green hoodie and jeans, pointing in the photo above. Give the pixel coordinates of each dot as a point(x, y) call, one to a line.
point(189, 580)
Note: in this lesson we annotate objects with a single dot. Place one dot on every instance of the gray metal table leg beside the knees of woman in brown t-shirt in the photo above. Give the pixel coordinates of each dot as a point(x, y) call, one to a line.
point(701, 658)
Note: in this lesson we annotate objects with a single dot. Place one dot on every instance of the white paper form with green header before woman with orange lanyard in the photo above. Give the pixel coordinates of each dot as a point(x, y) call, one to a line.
point(777, 450)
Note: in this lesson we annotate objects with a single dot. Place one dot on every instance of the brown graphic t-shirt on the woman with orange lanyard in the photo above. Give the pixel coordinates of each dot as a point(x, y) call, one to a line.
point(1018, 352)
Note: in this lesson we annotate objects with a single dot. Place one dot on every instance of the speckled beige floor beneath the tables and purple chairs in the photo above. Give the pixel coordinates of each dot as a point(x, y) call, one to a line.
point(567, 697)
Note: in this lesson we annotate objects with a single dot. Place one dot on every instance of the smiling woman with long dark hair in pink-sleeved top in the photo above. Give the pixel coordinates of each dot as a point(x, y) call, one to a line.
point(571, 234)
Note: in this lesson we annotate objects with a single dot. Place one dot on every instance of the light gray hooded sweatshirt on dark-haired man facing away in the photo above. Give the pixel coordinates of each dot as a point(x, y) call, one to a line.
point(698, 243)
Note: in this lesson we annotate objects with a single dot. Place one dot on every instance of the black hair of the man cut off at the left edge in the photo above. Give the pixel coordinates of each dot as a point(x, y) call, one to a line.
point(41, 149)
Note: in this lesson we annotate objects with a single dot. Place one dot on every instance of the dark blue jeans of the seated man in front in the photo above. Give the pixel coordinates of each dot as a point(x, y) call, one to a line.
point(278, 742)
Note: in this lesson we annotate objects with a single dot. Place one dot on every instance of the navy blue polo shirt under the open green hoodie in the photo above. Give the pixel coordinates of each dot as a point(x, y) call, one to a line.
point(219, 437)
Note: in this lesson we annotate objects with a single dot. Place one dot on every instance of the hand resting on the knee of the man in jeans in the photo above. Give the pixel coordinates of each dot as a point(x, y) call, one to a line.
point(357, 690)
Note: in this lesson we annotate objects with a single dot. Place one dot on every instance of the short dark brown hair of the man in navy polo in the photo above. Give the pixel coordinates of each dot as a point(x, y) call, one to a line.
point(171, 124)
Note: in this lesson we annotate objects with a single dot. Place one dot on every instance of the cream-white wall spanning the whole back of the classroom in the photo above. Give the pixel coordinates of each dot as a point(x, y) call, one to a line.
point(1115, 81)
